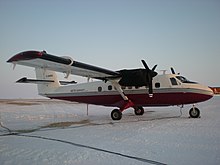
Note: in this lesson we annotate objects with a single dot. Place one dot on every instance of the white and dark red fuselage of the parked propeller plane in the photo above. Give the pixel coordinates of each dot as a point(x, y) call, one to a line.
point(168, 89)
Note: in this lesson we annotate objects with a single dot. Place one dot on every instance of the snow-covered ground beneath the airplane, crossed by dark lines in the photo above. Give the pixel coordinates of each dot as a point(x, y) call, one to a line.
point(58, 132)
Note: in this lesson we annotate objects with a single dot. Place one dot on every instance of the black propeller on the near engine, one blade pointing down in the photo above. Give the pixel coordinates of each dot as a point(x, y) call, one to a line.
point(150, 74)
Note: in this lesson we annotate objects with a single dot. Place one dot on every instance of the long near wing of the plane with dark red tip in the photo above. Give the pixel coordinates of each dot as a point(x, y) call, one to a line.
point(62, 64)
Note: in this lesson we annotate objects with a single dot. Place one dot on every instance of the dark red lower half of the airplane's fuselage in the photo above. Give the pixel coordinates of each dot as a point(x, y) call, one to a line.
point(158, 99)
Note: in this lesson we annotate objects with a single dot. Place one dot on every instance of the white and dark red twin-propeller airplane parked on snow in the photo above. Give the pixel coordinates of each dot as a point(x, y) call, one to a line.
point(136, 88)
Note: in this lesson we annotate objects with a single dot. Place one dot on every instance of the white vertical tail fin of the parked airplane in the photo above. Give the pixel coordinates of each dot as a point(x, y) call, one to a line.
point(49, 82)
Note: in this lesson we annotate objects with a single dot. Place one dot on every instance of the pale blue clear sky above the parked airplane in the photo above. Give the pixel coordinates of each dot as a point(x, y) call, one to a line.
point(114, 34)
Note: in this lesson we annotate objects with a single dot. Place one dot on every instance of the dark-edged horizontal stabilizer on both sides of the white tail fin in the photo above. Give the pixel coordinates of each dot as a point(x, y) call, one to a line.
point(35, 81)
